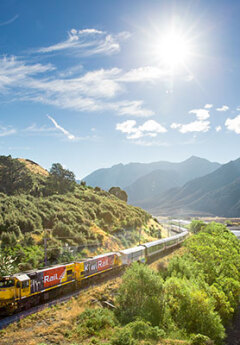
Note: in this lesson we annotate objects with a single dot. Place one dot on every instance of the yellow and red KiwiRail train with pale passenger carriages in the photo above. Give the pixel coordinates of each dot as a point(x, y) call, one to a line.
point(26, 289)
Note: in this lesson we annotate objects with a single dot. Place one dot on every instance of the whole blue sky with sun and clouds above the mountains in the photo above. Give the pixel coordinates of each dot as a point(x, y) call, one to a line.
point(94, 83)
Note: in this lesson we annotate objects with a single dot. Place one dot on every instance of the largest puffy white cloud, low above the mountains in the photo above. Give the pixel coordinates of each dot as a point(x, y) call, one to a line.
point(149, 128)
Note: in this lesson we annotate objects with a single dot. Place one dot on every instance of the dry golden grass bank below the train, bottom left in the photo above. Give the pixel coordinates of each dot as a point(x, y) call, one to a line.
point(51, 325)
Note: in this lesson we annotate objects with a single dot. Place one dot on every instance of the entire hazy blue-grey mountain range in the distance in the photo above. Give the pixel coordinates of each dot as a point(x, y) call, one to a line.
point(192, 187)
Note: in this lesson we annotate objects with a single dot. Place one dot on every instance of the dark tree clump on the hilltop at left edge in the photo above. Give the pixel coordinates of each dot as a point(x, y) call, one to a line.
point(15, 178)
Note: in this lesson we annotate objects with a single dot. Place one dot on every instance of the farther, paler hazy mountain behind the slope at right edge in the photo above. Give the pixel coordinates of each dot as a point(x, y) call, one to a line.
point(145, 181)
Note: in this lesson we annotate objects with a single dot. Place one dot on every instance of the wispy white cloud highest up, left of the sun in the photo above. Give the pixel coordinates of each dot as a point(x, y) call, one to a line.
point(88, 42)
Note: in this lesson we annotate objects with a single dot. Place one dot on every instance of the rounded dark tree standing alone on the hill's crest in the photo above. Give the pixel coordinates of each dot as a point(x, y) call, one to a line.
point(60, 180)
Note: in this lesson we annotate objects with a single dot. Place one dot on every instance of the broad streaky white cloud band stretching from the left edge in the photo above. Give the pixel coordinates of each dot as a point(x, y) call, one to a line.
point(87, 92)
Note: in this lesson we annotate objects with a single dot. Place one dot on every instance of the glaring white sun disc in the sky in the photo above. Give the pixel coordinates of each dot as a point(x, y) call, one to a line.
point(172, 49)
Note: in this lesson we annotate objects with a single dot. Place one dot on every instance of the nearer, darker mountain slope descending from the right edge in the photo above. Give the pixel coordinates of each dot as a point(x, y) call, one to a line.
point(217, 193)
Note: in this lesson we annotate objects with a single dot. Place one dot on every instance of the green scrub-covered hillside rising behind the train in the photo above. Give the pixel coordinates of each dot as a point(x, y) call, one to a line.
point(79, 222)
